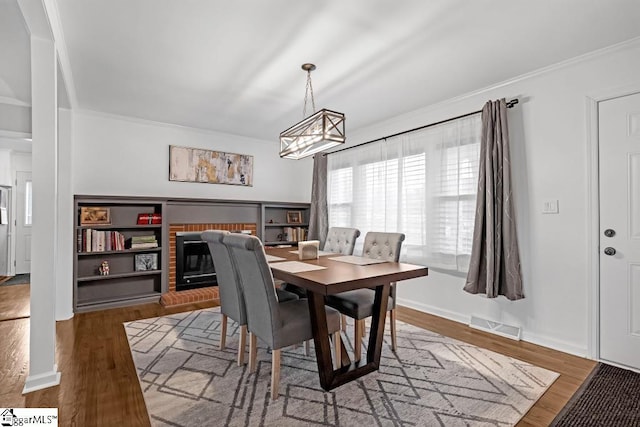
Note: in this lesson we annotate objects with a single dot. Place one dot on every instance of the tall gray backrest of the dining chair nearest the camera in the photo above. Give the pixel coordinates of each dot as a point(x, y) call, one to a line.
point(256, 281)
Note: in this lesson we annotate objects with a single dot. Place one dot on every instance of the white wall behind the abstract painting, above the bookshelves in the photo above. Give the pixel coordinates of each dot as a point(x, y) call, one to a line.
point(121, 156)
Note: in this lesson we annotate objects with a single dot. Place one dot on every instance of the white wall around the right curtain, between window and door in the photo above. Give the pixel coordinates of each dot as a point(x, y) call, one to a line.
point(549, 156)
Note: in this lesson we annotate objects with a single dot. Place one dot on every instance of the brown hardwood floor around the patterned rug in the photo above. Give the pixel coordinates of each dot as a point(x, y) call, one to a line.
point(99, 384)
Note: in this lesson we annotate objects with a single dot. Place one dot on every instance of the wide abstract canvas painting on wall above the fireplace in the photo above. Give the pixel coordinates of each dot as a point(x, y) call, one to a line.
point(213, 167)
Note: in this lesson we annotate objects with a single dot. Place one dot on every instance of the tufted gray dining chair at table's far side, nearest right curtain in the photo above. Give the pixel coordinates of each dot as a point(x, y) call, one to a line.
point(358, 304)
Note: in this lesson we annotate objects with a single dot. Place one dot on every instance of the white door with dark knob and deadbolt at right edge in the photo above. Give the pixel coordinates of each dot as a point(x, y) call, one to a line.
point(619, 145)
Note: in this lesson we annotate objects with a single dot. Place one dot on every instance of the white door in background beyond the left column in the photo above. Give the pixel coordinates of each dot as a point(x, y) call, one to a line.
point(23, 222)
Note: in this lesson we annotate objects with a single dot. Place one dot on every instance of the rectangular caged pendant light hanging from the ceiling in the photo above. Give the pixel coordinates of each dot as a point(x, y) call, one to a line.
point(320, 131)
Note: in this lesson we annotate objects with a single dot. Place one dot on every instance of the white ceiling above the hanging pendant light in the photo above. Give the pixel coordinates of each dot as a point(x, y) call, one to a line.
point(234, 66)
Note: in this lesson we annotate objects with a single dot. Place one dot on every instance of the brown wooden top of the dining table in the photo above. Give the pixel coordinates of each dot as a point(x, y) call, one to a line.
point(341, 276)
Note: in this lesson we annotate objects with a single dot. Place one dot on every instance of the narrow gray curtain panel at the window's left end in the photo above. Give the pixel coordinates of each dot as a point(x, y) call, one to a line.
point(319, 212)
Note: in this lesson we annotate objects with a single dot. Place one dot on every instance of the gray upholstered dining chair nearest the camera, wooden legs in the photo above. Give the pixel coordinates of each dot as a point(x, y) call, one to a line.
point(279, 324)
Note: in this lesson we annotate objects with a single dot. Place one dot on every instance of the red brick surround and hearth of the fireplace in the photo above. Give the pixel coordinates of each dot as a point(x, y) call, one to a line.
point(210, 293)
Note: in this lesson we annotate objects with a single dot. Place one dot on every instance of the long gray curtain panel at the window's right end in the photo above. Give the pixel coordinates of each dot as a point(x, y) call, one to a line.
point(495, 261)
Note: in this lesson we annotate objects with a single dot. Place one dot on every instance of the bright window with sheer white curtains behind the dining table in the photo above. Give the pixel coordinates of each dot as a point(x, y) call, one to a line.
point(422, 184)
